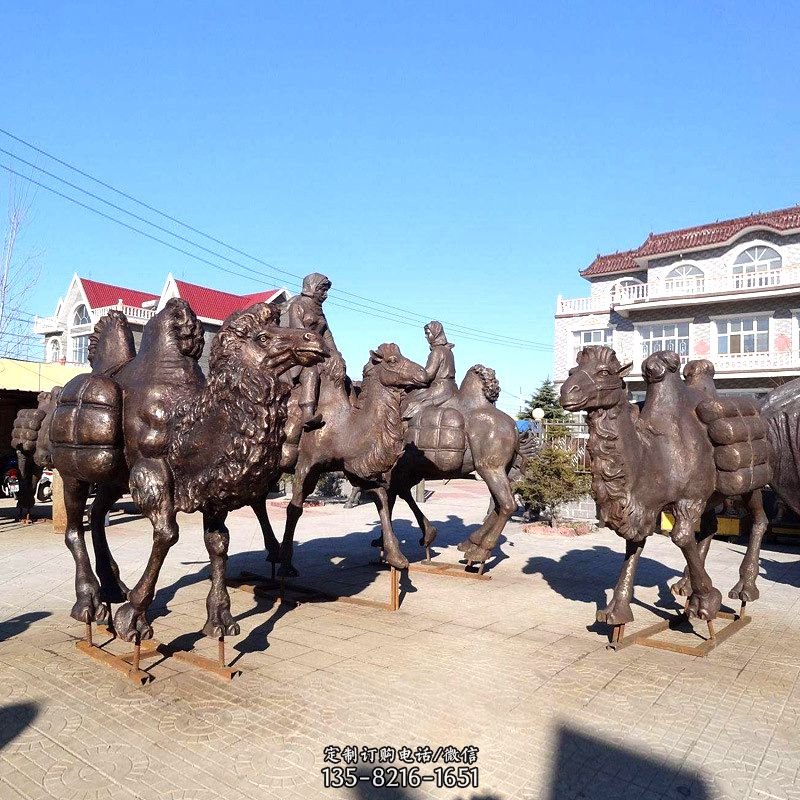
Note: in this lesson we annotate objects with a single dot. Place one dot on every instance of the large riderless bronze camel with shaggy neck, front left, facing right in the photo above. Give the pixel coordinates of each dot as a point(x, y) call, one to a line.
point(179, 442)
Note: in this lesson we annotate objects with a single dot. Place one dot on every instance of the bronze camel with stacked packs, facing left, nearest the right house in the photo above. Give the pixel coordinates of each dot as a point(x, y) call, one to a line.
point(669, 456)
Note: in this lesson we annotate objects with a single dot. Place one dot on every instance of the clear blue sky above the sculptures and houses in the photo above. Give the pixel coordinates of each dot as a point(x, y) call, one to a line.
point(458, 160)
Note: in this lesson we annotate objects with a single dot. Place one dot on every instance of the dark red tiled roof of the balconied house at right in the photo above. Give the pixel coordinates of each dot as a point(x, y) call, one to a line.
point(694, 238)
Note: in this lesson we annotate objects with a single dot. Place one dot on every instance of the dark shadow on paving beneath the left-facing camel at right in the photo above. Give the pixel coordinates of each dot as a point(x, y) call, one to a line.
point(586, 574)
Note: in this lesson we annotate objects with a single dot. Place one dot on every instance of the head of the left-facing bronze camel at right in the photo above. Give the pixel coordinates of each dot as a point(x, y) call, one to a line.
point(597, 381)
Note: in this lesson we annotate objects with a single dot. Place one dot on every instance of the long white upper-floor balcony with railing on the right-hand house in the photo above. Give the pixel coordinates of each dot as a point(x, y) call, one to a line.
point(686, 289)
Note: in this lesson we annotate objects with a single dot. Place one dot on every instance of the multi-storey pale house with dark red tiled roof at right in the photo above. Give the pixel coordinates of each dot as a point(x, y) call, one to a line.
point(727, 291)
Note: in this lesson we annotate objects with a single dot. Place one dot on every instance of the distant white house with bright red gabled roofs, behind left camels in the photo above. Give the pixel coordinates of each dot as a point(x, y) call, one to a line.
point(66, 333)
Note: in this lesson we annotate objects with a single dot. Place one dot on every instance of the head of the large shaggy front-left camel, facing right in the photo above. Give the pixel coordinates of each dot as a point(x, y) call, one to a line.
point(251, 341)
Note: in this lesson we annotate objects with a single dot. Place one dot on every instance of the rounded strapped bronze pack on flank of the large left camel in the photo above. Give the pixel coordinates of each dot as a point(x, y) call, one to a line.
point(86, 428)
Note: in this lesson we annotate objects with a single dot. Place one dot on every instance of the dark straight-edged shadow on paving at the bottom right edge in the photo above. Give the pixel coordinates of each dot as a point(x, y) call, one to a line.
point(586, 766)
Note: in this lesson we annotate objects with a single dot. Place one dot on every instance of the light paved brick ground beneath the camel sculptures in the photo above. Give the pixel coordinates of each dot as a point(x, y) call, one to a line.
point(512, 666)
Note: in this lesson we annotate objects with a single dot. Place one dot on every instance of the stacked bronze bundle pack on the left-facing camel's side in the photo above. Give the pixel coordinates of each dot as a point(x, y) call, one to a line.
point(741, 448)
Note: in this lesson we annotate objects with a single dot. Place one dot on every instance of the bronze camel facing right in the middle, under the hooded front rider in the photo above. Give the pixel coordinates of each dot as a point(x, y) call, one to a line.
point(362, 436)
